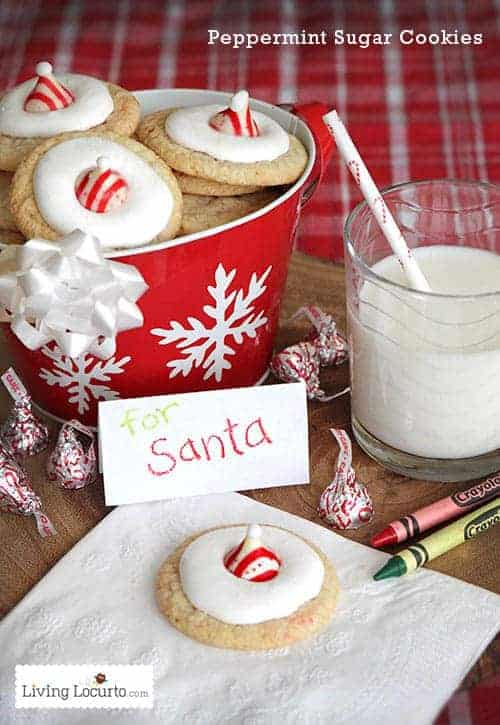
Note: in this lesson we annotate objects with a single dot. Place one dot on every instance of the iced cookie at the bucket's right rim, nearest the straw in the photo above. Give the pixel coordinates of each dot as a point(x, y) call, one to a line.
point(232, 145)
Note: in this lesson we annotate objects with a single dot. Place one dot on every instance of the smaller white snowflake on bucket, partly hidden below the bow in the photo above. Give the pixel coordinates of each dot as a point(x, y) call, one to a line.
point(83, 377)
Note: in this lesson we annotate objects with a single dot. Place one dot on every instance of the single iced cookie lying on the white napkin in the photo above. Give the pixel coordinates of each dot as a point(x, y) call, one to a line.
point(254, 588)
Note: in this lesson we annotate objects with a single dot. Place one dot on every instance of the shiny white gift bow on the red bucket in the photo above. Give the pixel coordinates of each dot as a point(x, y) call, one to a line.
point(69, 293)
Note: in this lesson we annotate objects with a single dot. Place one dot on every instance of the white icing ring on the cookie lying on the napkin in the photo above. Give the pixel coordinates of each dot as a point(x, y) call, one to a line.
point(213, 589)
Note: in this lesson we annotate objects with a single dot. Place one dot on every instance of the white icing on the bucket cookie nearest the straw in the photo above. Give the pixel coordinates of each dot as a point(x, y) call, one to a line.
point(189, 127)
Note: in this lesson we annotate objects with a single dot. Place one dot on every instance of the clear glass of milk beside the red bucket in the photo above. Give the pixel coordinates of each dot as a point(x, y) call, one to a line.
point(425, 367)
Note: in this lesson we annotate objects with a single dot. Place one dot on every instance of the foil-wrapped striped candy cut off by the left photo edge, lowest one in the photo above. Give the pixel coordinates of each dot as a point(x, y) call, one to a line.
point(16, 494)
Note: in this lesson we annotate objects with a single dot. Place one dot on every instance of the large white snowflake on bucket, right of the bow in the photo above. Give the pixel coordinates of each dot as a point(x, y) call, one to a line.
point(234, 317)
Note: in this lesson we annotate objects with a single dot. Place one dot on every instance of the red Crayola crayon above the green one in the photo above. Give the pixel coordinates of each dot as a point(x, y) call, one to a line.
point(443, 510)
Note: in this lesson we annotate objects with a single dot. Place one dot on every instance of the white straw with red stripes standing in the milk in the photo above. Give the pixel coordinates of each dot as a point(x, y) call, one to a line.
point(375, 201)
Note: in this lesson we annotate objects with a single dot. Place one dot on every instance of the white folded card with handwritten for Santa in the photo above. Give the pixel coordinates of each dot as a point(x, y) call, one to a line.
point(196, 443)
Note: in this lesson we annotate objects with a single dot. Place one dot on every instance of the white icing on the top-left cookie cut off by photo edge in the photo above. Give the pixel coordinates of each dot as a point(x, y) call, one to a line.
point(92, 105)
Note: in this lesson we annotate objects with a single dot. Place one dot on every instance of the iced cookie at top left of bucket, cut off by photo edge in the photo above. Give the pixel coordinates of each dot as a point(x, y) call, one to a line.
point(45, 106)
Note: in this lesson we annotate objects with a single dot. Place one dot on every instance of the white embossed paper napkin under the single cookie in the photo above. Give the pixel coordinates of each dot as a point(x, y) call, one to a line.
point(394, 652)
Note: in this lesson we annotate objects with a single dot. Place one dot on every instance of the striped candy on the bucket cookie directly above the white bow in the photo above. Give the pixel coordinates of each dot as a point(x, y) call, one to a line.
point(101, 189)
